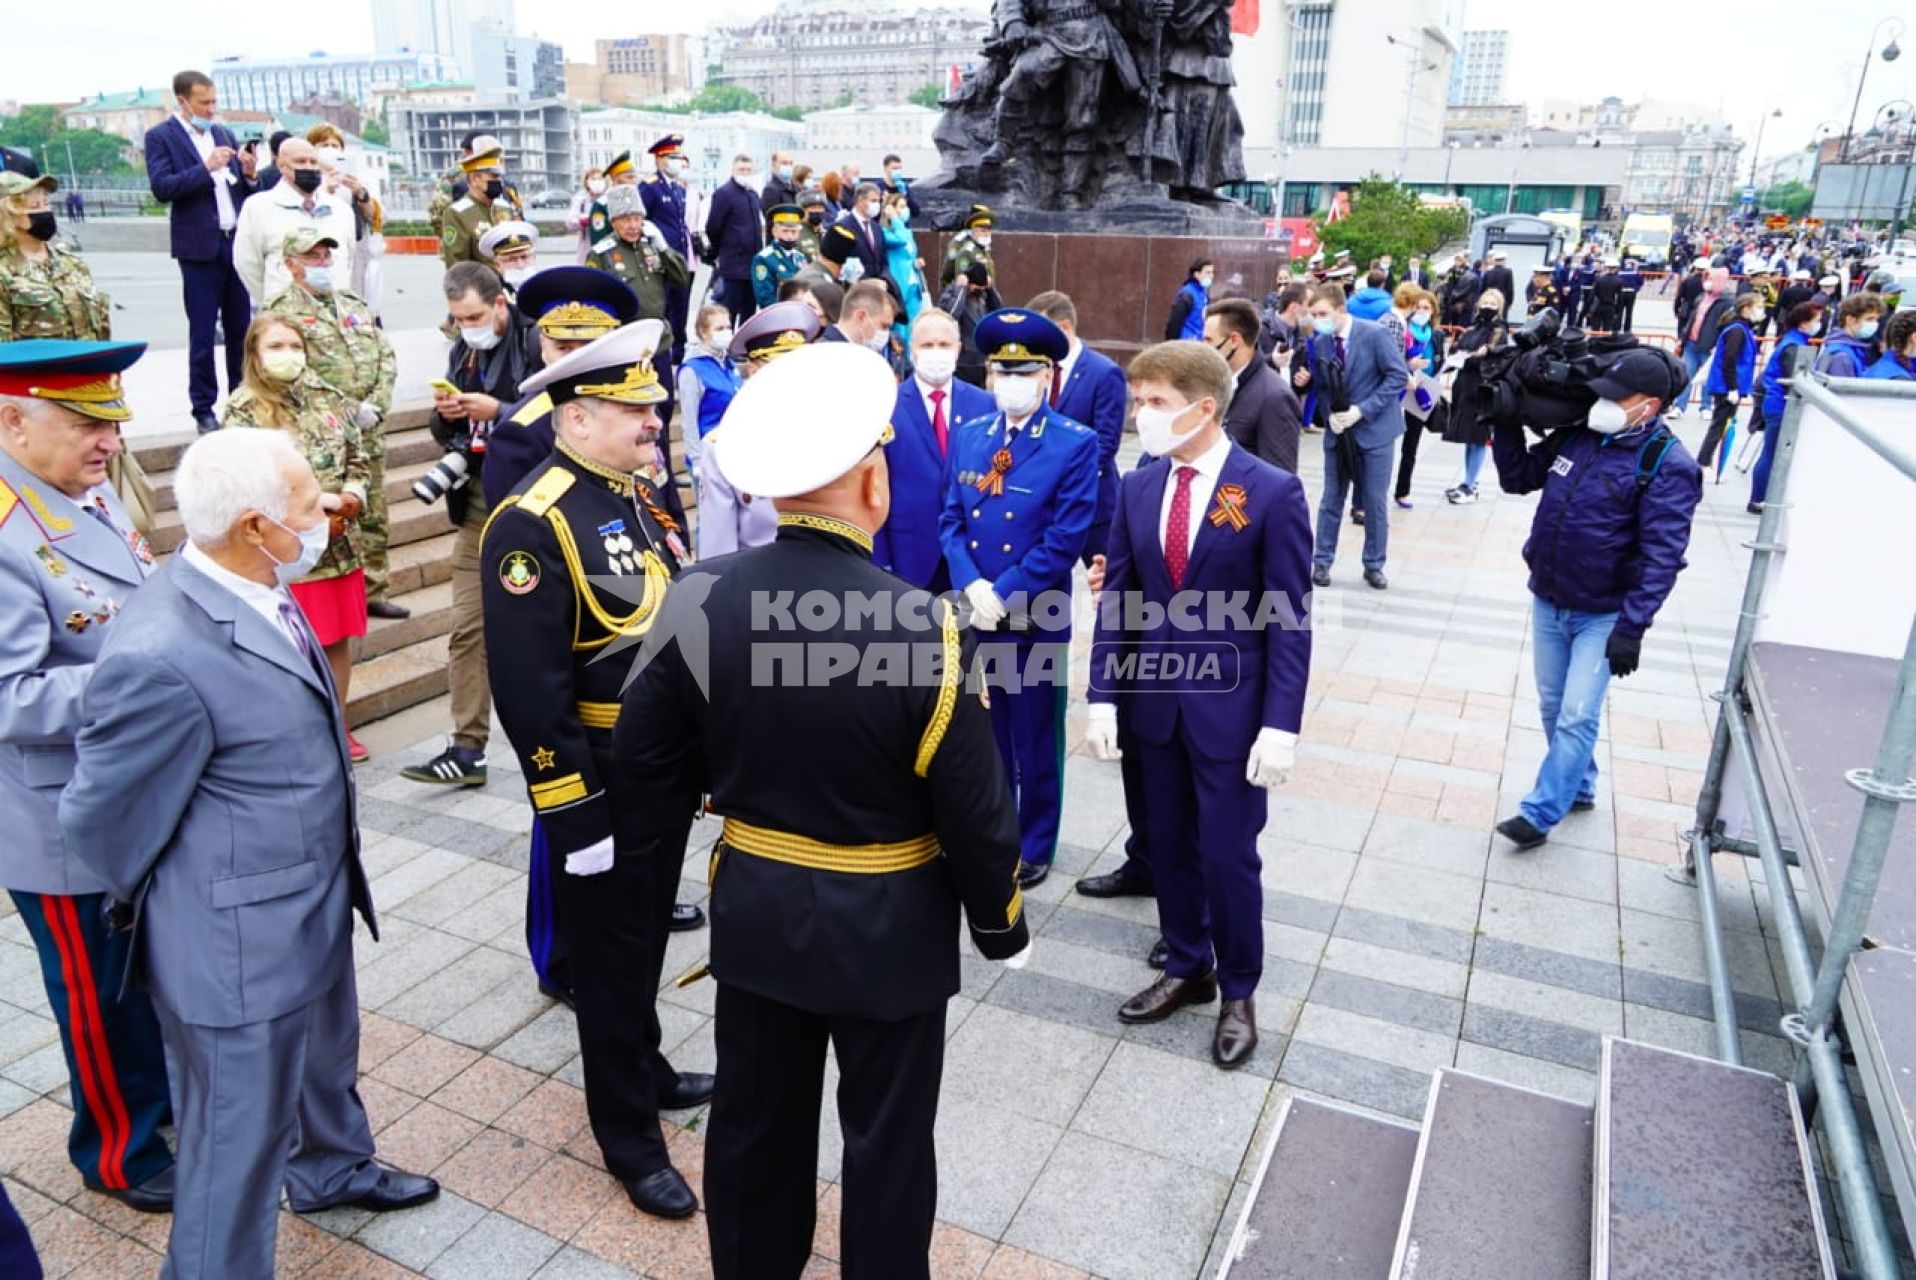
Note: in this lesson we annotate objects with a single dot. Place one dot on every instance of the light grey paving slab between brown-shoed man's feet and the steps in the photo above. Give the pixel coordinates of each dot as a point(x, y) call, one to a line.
point(1174, 1107)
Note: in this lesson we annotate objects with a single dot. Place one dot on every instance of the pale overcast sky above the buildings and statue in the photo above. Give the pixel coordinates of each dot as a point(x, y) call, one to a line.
point(1748, 58)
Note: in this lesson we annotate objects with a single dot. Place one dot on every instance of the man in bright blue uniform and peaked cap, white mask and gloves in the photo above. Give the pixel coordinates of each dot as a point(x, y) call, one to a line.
point(1018, 505)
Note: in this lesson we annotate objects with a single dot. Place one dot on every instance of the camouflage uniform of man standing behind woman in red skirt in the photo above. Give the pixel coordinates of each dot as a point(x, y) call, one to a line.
point(354, 355)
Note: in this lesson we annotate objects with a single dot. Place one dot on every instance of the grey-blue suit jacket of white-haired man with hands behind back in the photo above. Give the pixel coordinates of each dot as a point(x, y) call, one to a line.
point(214, 792)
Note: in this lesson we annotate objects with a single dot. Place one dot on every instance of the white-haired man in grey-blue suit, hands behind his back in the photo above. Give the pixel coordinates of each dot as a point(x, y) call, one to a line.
point(214, 796)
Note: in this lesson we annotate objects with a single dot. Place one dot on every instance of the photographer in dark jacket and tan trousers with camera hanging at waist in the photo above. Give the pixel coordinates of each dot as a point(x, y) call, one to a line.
point(497, 350)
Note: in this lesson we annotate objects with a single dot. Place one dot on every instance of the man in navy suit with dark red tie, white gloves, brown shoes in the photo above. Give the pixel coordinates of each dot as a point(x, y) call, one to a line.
point(1216, 700)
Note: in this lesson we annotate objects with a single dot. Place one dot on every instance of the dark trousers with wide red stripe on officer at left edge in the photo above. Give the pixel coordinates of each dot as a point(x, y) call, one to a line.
point(116, 1059)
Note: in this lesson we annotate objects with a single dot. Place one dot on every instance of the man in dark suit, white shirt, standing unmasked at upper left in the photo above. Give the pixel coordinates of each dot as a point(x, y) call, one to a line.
point(198, 170)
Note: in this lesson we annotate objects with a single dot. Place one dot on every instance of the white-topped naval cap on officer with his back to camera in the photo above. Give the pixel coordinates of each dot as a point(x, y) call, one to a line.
point(773, 453)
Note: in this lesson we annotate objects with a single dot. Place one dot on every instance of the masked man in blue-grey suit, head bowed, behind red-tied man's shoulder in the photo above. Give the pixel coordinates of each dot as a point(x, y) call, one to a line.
point(1375, 377)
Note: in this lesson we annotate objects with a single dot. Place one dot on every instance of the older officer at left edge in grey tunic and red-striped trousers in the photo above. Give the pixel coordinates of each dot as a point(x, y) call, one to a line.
point(70, 560)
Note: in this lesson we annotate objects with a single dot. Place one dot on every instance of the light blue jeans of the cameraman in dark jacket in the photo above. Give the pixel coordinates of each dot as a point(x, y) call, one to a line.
point(1572, 675)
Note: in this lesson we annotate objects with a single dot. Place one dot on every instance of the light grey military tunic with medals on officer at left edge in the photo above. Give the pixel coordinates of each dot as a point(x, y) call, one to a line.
point(64, 580)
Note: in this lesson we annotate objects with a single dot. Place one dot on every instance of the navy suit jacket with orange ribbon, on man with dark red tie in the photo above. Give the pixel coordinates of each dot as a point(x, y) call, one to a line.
point(1264, 664)
